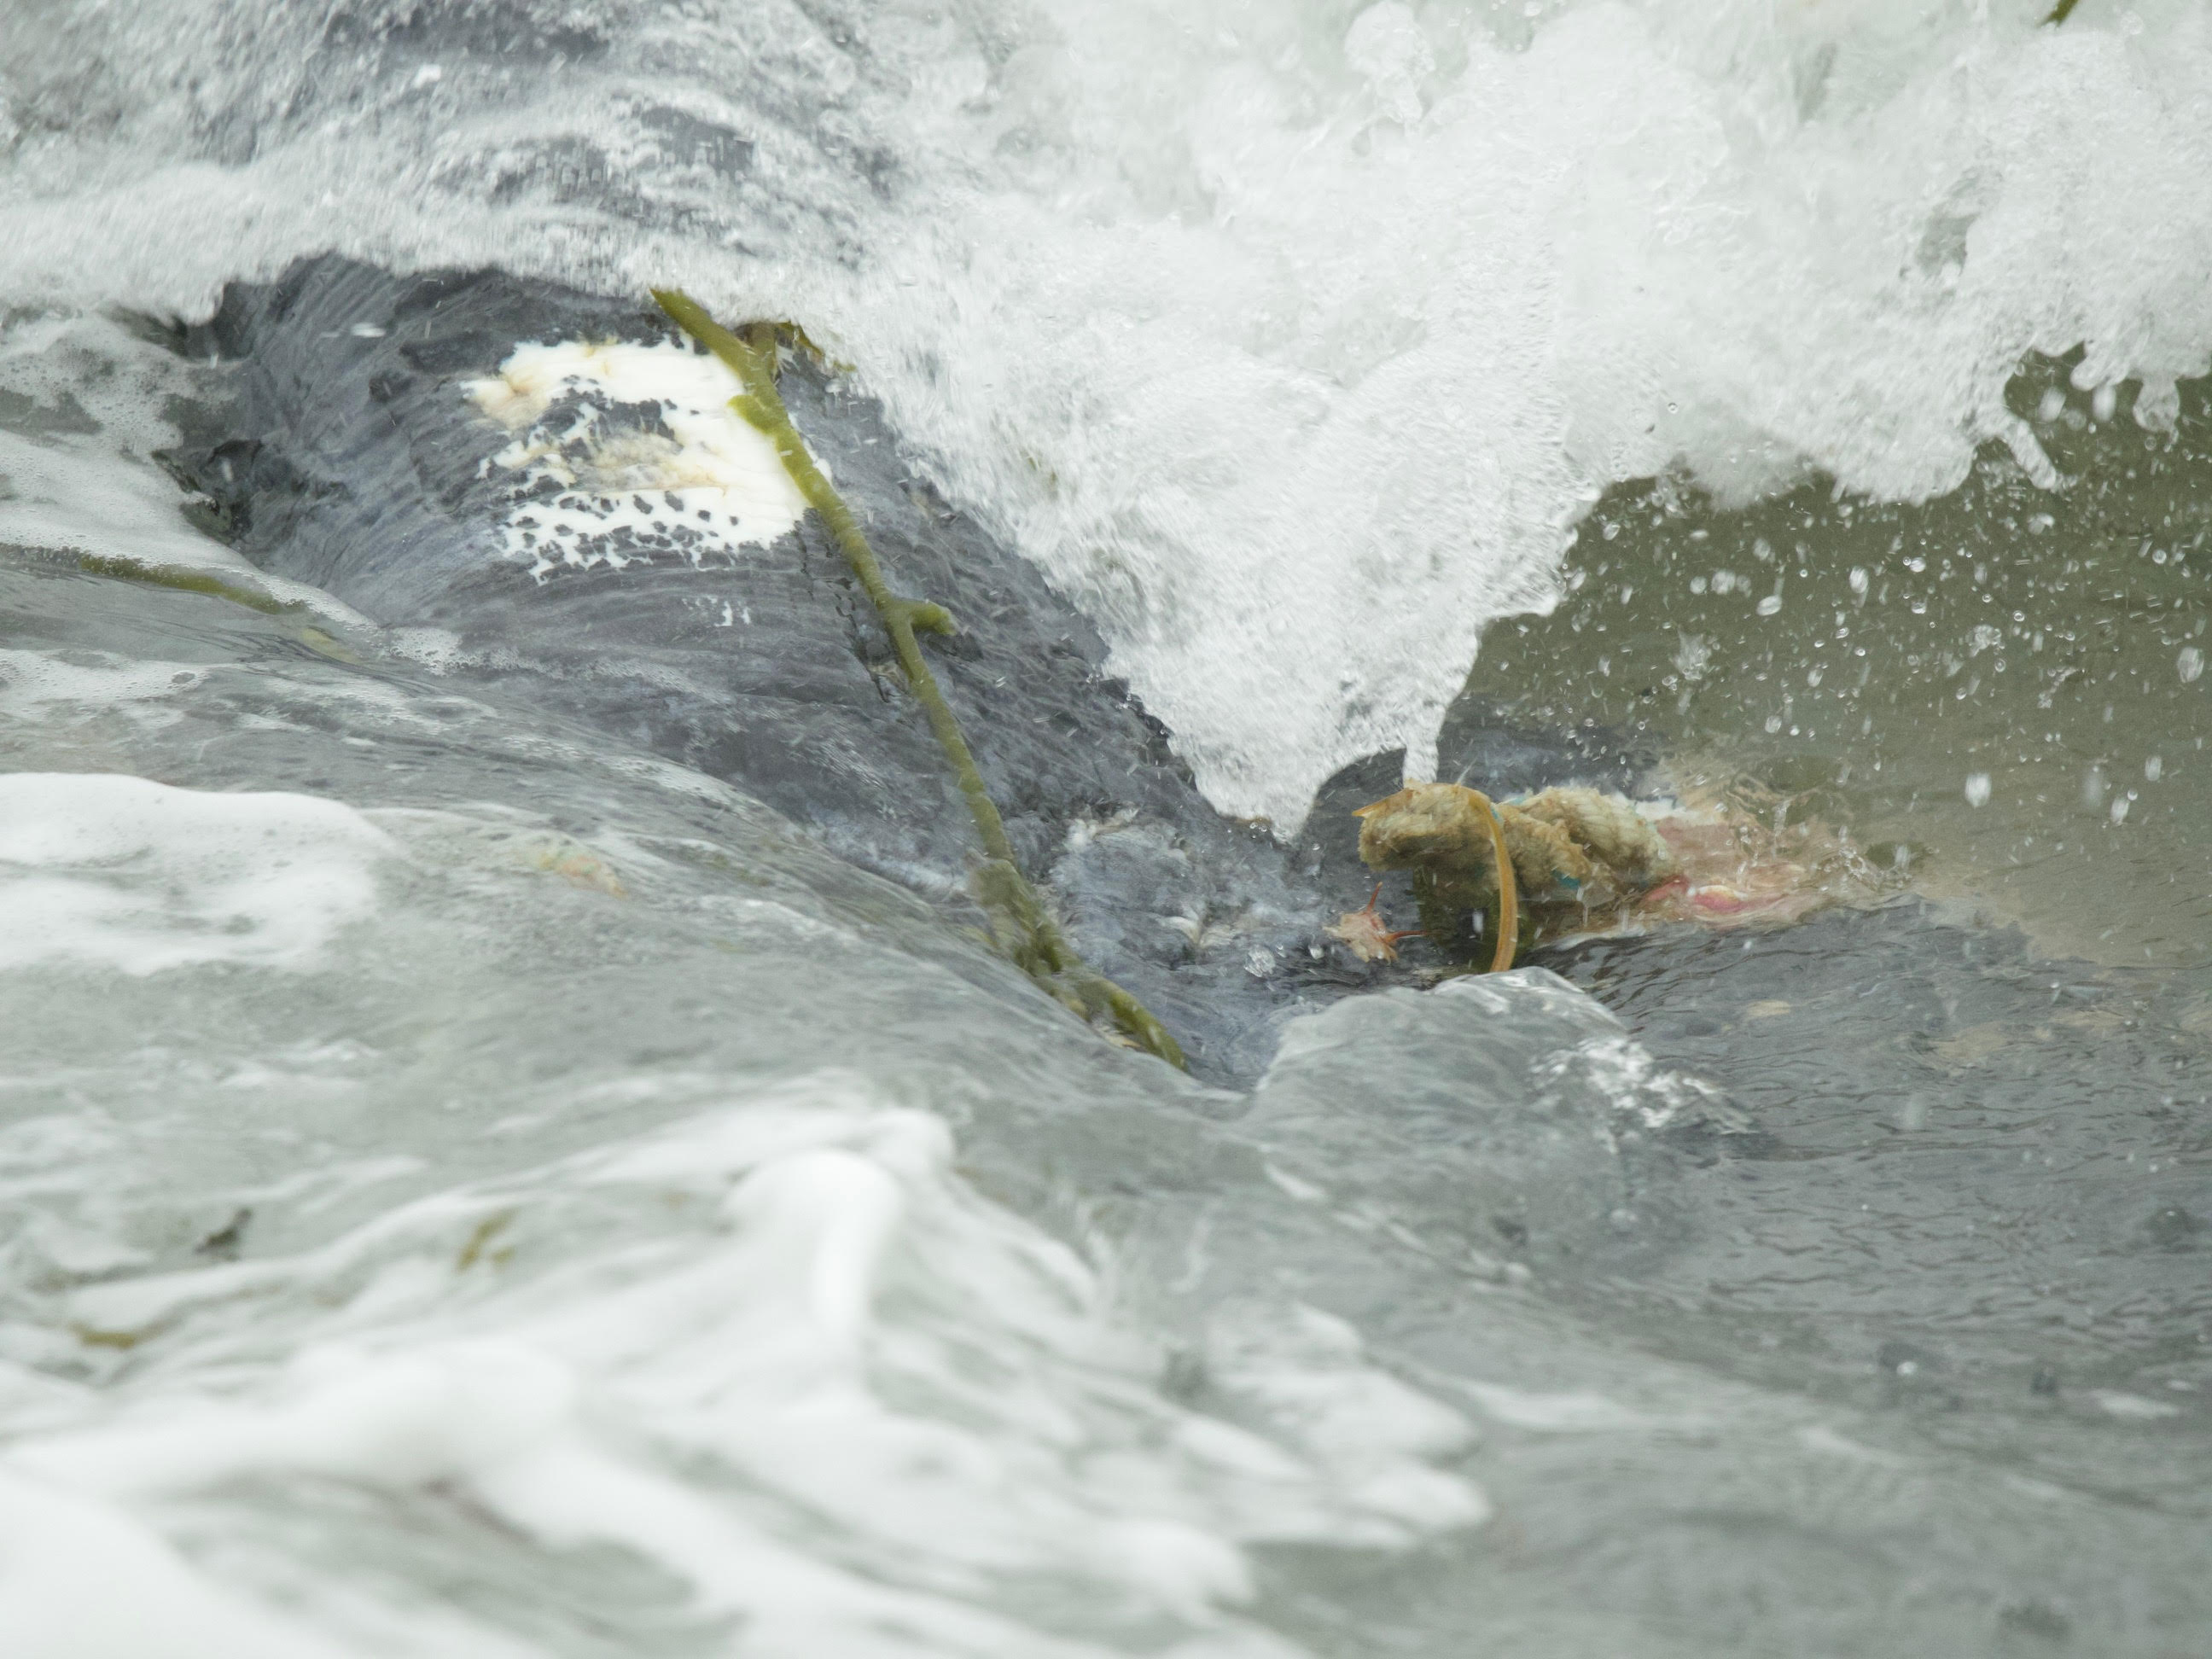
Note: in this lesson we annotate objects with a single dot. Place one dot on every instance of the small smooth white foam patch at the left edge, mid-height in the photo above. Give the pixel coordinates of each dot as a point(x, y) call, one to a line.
point(121, 873)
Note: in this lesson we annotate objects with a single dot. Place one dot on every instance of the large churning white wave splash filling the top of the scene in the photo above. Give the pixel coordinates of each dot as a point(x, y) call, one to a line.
point(1288, 340)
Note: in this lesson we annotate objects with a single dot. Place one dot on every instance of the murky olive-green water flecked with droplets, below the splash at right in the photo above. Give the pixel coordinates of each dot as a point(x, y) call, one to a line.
point(1999, 691)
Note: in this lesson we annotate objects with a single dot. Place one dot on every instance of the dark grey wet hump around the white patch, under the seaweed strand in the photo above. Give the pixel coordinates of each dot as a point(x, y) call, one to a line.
point(351, 457)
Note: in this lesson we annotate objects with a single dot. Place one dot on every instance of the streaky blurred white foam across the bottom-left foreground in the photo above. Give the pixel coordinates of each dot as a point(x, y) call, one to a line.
point(700, 1346)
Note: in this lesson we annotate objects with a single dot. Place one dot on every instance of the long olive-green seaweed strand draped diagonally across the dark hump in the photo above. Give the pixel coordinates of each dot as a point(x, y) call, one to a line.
point(1021, 924)
